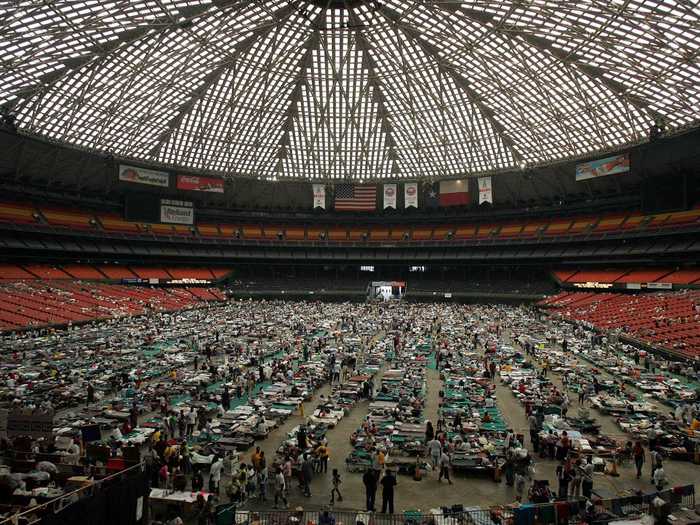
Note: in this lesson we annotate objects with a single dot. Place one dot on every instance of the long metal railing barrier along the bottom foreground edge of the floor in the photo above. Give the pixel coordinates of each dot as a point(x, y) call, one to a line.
point(561, 513)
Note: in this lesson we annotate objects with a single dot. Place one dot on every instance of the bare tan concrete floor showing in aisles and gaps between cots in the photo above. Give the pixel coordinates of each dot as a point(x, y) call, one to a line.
point(429, 493)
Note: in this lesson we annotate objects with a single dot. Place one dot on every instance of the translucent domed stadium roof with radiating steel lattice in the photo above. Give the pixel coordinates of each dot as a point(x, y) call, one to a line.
point(360, 89)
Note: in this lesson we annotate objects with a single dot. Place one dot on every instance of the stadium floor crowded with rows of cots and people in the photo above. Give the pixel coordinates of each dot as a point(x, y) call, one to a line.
point(199, 391)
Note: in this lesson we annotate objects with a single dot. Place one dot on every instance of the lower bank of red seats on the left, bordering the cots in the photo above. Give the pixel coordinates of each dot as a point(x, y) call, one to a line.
point(26, 304)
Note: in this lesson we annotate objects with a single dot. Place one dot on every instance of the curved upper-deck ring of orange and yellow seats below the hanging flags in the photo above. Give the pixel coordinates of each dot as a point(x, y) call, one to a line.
point(602, 225)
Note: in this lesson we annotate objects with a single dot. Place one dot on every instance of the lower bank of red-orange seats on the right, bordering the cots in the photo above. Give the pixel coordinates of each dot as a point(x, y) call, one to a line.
point(669, 320)
